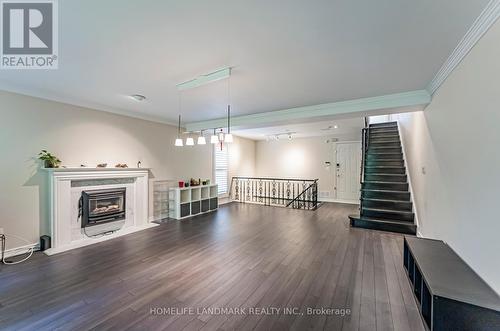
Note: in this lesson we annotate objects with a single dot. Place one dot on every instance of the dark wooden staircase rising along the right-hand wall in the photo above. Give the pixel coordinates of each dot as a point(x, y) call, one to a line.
point(385, 197)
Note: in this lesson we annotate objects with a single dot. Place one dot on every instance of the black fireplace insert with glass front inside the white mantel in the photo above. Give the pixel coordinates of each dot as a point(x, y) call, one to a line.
point(102, 206)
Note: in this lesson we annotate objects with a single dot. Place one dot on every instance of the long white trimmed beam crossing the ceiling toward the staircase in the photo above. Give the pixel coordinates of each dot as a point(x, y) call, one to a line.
point(359, 107)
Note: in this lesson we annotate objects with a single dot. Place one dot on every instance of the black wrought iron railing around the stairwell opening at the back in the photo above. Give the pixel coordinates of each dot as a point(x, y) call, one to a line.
point(280, 192)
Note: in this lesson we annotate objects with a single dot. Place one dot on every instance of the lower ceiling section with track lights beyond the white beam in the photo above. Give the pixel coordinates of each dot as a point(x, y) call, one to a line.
point(342, 129)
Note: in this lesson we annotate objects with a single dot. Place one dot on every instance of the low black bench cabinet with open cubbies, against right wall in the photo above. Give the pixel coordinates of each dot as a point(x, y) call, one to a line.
point(450, 295)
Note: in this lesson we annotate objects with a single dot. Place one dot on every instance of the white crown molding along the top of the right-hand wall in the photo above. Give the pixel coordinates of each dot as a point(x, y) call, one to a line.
point(482, 24)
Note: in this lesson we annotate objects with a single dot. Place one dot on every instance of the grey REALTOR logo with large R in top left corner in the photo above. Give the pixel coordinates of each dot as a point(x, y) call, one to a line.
point(29, 34)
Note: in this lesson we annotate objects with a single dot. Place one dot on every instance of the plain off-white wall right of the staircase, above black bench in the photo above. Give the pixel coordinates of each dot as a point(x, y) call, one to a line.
point(456, 140)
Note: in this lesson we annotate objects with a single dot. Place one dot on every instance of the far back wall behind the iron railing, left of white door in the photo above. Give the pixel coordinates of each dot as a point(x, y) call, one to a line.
point(302, 158)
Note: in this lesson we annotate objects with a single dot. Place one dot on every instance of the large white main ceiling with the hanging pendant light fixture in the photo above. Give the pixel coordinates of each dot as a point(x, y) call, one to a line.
point(284, 54)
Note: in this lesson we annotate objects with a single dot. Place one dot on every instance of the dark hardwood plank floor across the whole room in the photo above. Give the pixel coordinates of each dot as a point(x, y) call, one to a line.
point(243, 256)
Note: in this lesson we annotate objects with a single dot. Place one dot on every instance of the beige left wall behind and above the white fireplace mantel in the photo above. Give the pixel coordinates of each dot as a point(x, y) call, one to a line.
point(79, 136)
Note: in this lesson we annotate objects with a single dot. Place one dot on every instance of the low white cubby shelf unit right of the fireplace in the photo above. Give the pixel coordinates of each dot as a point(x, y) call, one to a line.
point(194, 200)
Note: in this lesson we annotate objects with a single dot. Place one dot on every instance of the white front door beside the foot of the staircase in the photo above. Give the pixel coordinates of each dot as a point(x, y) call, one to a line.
point(348, 169)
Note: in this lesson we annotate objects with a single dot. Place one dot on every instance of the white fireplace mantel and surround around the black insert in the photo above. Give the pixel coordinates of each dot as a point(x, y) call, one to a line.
point(62, 221)
